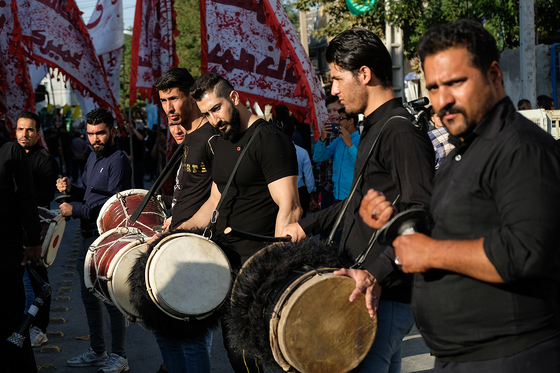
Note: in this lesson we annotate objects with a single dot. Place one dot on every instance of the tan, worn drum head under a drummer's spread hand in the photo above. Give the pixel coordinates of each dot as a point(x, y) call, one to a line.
point(319, 330)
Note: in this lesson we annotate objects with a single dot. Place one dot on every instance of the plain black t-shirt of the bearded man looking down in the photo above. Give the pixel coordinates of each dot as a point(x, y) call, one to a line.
point(248, 205)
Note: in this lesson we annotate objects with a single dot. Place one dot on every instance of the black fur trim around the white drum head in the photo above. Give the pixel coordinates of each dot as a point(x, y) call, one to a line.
point(152, 316)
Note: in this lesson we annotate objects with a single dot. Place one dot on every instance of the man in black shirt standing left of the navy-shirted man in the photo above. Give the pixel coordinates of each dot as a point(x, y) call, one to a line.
point(44, 169)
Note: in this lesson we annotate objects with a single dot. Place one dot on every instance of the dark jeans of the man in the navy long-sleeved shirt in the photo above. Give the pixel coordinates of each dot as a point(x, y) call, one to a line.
point(94, 312)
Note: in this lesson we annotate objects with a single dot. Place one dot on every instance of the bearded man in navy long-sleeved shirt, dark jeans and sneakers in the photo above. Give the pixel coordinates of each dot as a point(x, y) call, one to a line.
point(107, 169)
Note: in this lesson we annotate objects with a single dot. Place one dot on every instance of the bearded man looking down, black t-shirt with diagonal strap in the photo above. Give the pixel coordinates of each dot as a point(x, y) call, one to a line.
point(263, 196)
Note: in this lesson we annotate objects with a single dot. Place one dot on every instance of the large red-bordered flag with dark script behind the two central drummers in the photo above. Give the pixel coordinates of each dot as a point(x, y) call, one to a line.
point(253, 44)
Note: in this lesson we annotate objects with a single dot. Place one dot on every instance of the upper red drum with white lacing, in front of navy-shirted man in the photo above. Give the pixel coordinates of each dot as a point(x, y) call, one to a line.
point(118, 209)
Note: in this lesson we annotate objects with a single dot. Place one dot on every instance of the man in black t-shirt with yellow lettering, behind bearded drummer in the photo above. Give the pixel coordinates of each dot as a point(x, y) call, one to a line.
point(193, 183)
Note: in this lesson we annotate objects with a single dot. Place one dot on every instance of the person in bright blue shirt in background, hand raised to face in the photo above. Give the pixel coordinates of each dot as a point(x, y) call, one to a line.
point(342, 151)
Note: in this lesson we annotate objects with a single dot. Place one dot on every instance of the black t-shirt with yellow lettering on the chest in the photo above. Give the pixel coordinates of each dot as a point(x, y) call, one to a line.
point(193, 182)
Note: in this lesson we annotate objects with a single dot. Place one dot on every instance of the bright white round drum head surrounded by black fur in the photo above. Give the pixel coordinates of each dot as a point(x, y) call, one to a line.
point(188, 275)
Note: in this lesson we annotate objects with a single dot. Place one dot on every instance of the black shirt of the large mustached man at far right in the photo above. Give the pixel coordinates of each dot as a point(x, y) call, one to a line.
point(503, 184)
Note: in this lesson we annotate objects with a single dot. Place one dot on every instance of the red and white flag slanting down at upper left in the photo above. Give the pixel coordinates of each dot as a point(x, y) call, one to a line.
point(61, 41)
